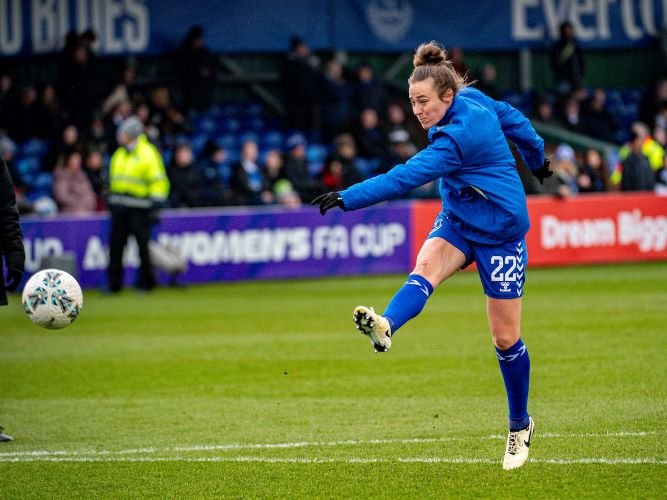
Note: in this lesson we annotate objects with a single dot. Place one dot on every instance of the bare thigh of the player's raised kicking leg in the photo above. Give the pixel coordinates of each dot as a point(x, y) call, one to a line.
point(437, 260)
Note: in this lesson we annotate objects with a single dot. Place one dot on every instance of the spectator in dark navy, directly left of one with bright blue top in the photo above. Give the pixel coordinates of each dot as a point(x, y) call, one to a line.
point(216, 175)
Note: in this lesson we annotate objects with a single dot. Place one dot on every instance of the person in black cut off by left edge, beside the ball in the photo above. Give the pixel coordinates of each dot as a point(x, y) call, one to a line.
point(12, 254)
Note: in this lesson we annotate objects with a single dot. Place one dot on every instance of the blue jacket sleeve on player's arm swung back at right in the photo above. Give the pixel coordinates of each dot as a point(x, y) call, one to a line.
point(518, 129)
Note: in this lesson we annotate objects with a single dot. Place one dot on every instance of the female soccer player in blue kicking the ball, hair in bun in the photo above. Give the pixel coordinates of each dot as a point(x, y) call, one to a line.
point(484, 218)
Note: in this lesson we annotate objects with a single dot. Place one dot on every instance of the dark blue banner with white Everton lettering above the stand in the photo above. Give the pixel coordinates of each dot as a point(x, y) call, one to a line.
point(157, 26)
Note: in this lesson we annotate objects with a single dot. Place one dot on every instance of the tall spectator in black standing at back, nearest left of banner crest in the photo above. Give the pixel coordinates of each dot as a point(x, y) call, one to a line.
point(300, 84)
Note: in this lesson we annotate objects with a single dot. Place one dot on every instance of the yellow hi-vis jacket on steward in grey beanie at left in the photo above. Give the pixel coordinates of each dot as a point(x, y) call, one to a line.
point(137, 178)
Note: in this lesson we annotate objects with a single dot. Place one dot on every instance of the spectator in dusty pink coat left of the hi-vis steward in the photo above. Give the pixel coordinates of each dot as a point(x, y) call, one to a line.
point(71, 188)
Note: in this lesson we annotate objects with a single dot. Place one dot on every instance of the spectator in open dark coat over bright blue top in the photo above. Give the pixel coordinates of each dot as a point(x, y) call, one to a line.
point(248, 182)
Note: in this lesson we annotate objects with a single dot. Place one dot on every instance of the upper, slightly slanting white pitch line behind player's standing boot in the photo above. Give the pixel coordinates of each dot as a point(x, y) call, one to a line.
point(303, 444)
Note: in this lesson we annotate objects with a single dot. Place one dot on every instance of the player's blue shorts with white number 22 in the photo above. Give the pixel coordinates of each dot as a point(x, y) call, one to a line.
point(502, 268)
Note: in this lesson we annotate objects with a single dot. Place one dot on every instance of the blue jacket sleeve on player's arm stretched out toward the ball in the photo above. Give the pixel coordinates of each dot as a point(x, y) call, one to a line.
point(440, 158)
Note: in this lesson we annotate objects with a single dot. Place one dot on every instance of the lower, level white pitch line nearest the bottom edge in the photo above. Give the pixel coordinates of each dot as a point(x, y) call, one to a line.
point(326, 460)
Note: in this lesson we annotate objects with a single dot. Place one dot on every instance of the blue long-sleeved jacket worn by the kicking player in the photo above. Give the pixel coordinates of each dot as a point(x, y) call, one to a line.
point(481, 191)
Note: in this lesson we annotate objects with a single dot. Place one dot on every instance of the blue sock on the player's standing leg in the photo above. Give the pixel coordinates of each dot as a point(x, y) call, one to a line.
point(515, 367)
